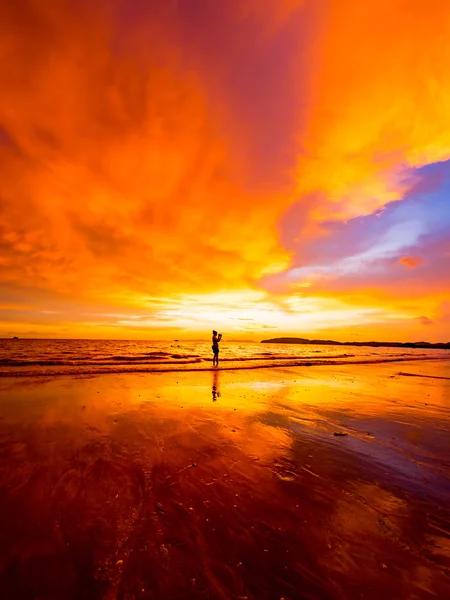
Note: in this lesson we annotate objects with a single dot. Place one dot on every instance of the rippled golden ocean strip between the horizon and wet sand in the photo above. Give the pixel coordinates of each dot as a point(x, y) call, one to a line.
point(30, 357)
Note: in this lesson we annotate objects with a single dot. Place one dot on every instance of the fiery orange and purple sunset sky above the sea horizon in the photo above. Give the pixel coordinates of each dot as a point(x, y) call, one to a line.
point(261, 167)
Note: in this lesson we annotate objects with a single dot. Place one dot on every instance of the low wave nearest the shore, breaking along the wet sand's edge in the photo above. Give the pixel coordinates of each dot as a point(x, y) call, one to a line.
point(99, 368)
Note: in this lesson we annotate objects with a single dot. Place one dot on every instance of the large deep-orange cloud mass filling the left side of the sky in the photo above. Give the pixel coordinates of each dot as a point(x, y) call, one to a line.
point(117, 174)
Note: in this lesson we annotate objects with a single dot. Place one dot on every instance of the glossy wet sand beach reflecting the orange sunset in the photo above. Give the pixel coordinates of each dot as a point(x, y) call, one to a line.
point(228, 484)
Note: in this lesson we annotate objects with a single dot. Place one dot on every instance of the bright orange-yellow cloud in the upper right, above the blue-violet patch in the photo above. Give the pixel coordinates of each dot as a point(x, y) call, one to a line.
point(379, 103)
